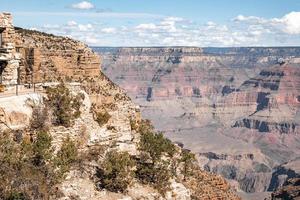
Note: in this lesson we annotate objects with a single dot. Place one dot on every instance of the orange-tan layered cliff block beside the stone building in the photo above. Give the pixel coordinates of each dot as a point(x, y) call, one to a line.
point(46, 57)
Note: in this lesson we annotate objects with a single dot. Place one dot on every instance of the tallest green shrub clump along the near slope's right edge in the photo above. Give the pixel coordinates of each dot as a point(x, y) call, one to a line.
point(153, 166)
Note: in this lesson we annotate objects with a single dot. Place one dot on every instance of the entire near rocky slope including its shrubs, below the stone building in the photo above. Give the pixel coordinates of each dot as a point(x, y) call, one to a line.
point(81, 137)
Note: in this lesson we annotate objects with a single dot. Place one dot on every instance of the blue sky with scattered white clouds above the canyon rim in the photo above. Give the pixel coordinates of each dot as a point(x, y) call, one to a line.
point(163, 22)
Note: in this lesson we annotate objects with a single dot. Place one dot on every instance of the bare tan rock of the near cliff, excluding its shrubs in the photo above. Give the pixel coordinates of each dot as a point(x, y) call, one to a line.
point(46, 59)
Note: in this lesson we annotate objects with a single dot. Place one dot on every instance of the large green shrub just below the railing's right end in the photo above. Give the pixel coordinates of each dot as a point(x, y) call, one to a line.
point(65, 106)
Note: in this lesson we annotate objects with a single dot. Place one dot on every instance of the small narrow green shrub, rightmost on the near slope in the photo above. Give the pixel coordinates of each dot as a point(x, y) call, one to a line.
point(187, 158)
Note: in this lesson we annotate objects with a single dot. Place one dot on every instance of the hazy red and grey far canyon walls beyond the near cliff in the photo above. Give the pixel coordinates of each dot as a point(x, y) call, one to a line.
point(237, 107)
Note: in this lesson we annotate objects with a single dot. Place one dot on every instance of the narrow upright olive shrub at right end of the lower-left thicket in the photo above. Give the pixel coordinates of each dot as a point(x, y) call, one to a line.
point(66, 156)
